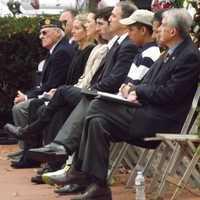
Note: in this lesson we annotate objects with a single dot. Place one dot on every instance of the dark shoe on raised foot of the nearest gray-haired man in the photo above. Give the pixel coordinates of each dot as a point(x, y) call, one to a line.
point(71, 177)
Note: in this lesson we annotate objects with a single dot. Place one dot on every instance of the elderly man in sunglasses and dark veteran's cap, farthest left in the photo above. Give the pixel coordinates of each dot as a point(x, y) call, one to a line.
point(54, 69)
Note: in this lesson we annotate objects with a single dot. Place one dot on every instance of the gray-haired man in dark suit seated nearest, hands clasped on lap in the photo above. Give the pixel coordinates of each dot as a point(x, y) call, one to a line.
point(166, 93)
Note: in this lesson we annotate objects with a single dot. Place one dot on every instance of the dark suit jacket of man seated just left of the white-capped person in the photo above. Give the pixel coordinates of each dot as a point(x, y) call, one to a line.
point(115, 67)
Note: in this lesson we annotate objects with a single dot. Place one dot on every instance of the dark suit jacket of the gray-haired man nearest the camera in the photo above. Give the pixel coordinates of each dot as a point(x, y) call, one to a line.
point(166, 92)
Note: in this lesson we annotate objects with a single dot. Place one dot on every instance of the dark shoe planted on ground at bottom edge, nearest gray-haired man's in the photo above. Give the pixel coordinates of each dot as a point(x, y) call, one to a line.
point(95, 192)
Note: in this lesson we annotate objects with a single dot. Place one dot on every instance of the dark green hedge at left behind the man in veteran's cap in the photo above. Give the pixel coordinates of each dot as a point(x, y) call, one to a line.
point(20, 53)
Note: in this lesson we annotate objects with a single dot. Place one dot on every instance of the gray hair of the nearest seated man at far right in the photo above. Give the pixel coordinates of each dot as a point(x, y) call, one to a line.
point(180, 19)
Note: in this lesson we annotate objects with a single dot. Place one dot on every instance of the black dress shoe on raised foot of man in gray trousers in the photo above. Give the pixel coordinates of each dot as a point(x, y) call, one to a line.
point(49, 153)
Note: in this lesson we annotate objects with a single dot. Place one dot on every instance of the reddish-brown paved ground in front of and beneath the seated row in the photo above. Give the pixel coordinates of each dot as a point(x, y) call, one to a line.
point(15, 184)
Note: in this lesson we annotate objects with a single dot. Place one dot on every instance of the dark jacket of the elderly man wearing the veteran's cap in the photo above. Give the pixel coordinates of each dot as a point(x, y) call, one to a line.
point(55, 68)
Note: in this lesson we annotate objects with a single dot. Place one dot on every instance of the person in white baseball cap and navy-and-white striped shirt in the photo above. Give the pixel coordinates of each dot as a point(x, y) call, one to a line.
point(140, 32)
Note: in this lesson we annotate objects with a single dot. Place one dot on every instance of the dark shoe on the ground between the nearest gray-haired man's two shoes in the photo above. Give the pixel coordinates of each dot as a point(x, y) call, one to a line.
point(70, 189)
